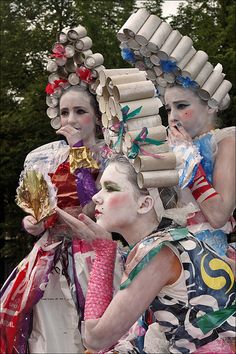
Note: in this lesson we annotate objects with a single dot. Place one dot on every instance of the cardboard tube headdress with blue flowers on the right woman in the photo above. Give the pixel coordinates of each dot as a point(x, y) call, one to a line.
point(152, 45)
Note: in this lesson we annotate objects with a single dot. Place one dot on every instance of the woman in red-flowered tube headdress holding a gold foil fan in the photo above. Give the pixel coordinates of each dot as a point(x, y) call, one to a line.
point(51, 282)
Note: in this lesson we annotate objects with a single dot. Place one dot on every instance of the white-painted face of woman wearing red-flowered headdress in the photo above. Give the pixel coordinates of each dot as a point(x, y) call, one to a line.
point(77, 111)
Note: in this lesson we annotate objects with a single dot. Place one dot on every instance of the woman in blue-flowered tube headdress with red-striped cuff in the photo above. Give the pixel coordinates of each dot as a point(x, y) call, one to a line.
point(192, 91)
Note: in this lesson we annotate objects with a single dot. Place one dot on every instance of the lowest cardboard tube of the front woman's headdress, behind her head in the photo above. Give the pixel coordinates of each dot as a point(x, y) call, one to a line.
point(151, 179)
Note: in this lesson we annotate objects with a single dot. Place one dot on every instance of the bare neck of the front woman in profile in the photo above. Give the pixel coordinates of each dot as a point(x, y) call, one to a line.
point(139, 229)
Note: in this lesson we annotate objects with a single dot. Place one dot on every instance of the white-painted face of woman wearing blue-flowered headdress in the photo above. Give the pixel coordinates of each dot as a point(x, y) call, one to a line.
point(185, 106)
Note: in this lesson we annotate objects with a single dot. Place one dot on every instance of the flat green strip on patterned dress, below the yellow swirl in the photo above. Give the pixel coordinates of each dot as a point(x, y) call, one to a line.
point(214, 319)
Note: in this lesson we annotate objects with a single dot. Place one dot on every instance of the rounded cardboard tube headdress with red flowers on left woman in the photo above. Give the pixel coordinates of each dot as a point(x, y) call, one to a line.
point(72, 63)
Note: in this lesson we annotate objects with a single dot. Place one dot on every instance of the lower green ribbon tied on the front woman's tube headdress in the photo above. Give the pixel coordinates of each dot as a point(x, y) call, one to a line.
point(142, 137)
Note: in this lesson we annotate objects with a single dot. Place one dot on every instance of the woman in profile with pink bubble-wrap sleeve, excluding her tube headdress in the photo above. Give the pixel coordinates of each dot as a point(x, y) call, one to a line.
point(167, 269)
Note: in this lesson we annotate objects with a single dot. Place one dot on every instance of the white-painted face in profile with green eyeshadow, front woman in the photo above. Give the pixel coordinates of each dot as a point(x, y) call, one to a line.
point(116, 204)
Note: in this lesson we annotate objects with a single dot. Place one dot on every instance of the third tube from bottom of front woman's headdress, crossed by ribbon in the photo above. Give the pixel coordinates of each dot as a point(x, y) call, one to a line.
point(156, 133)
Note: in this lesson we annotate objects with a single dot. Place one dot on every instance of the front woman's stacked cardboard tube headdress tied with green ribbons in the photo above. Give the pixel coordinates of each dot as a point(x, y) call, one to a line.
point(130, 89)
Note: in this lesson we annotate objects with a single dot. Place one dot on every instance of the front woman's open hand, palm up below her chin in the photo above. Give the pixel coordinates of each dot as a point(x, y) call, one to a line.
point(84, 227)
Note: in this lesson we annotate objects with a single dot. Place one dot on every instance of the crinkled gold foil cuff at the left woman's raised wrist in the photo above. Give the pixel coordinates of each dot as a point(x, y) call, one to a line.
point(81, 157)
